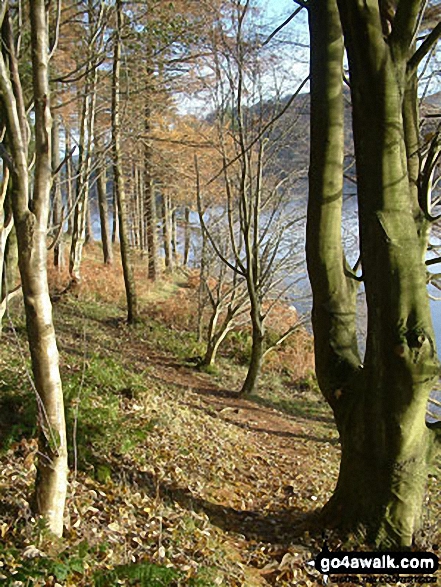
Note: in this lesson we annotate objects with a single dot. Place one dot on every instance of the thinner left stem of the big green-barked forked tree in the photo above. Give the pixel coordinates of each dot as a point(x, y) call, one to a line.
point(333, 287)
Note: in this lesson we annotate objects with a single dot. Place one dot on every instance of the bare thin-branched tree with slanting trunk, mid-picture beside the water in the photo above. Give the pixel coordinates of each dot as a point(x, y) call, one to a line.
point(260, 213)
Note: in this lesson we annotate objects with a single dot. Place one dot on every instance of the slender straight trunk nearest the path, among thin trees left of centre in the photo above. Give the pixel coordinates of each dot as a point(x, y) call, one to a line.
point(129, 281)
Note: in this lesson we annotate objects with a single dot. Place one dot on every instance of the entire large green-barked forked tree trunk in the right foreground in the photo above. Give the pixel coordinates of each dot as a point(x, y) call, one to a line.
point(380, 408)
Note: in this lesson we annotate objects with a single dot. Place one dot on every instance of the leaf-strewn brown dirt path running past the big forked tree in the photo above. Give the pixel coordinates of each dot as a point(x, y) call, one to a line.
point(262, 495)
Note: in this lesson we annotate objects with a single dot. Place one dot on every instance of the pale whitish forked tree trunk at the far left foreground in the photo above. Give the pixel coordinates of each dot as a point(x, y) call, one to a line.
point(31, 226)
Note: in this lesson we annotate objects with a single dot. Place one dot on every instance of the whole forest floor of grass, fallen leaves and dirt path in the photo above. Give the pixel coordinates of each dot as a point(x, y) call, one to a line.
point(175, 480)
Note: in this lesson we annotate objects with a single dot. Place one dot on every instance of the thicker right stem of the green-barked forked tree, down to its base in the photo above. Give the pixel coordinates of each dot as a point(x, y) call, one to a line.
point(400, 362)
